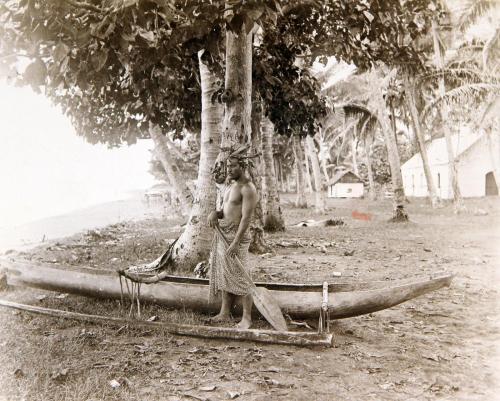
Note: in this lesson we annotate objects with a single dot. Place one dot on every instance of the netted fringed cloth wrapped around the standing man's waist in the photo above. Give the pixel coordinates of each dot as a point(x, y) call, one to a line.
point(225, 273)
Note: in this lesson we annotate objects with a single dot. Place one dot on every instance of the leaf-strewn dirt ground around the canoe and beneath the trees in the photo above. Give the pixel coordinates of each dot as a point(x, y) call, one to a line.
point(441, 346)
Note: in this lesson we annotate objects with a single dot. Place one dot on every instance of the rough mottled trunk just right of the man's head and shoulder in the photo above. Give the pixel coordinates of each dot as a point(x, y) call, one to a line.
point(273, 218)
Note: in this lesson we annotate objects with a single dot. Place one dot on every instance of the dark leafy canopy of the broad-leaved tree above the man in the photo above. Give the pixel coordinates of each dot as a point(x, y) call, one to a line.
point(117, 66)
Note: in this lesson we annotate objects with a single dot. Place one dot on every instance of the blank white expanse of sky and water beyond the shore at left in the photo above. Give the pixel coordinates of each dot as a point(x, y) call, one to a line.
point(47, 170)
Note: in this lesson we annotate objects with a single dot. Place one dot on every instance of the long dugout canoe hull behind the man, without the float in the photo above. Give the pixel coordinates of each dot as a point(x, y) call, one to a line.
point(297, 300)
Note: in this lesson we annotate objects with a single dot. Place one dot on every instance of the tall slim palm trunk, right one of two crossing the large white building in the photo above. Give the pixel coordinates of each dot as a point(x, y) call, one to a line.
point(453, 183)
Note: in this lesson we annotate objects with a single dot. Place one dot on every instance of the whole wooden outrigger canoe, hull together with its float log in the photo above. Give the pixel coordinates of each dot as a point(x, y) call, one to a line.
point(326, 301)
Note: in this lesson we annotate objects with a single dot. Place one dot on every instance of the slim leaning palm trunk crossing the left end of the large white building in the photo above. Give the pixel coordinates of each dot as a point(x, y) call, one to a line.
point(417, 128)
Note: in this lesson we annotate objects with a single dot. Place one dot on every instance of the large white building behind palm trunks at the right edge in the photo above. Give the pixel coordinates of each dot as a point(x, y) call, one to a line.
point(477, 157)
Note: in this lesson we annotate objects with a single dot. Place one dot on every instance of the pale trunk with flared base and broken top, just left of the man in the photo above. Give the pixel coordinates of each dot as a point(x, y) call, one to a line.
point(193, 245)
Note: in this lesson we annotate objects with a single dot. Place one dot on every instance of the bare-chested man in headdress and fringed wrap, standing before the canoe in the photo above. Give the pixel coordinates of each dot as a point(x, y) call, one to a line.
point(239, 201)
